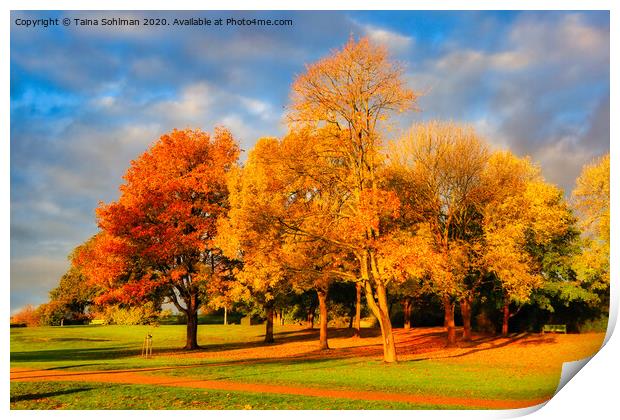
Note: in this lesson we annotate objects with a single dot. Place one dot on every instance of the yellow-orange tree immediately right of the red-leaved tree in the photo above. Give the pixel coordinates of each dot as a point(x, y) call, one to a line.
point(249, 232)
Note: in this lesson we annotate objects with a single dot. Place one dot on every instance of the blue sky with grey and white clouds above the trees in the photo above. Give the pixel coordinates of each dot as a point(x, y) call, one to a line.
point(87, 100)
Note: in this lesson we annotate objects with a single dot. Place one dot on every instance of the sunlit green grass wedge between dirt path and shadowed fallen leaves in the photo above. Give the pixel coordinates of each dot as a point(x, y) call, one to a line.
point(473, 380)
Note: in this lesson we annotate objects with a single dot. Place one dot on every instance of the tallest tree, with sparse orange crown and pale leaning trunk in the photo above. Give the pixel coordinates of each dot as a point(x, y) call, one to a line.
point(345, 99)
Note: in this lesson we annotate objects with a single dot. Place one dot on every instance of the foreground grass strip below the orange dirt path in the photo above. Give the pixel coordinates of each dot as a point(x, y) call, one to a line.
point(98, 396)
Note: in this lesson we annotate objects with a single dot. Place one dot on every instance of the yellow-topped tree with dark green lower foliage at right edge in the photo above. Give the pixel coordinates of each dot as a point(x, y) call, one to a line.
point(575, 262)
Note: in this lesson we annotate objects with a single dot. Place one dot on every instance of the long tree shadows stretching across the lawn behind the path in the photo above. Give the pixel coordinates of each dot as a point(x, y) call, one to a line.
point(410, 342)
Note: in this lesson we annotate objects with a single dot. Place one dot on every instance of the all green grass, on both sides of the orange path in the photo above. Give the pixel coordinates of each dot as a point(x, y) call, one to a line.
point(118, 347)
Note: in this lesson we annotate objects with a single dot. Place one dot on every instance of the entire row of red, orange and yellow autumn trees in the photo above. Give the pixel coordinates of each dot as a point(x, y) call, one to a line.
point(433, 214)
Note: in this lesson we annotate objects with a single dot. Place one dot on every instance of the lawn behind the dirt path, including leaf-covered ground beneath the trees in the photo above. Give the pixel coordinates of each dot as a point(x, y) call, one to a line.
point(524, 367)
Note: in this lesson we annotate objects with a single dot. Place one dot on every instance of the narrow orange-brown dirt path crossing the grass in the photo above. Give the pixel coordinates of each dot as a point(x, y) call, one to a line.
point(134, 377)
